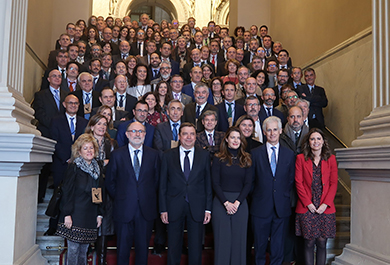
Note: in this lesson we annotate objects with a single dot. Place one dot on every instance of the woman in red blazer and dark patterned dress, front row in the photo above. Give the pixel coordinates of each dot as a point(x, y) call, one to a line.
point(316, 182)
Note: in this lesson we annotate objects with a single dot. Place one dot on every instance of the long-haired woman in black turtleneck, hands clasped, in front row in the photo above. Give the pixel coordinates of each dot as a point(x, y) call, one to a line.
point(232, 180)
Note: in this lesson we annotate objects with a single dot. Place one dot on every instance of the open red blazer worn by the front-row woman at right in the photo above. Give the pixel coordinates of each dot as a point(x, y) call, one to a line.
point(304, 178)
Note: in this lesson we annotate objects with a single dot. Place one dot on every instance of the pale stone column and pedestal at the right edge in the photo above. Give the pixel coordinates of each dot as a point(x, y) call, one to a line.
point(368, 161)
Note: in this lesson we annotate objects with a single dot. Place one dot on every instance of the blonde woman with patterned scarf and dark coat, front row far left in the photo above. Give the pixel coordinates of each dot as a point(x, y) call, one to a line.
point(80, 207)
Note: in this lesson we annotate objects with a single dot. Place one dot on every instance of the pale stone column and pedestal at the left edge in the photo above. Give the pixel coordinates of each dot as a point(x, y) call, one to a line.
point(22, 150)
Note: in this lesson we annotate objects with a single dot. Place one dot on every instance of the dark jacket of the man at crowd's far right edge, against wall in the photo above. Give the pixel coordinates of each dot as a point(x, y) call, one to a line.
point(318, 100)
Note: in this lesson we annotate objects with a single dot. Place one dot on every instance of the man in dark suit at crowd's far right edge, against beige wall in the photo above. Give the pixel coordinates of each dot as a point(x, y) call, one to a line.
point(316, 96)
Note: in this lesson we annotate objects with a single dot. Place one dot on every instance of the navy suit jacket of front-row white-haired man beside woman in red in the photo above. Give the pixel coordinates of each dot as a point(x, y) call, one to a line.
point(272, 193)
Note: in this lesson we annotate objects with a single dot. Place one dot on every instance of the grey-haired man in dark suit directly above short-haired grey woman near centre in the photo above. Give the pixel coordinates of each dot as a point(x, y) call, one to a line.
point(194, 110)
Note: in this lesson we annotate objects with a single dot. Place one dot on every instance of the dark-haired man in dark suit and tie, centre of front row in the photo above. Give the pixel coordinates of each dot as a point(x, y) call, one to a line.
point(185, 195)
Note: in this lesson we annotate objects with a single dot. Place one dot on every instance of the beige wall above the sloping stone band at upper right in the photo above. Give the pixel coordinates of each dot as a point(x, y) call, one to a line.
point(309, 28)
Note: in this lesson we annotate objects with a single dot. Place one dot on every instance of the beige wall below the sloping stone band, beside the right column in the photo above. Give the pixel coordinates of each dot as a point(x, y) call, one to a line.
point(347, 79)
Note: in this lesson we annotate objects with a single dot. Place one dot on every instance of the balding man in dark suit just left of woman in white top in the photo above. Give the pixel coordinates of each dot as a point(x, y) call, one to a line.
point(124, 101)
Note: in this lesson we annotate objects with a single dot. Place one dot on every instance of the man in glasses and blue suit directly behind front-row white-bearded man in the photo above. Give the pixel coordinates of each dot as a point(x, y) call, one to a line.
point(140, 113)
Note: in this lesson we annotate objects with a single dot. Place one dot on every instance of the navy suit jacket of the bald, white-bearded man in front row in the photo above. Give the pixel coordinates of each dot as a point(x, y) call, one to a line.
point(128, 193)
